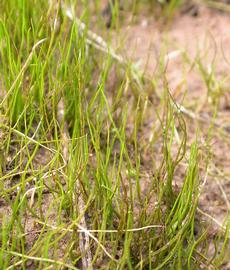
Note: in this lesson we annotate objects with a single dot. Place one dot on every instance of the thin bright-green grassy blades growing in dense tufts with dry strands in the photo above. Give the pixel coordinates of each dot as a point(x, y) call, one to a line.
point(79, 148)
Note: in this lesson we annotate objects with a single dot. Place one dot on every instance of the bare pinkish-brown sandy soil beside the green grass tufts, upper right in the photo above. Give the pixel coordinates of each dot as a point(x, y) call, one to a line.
point(204, 35)
